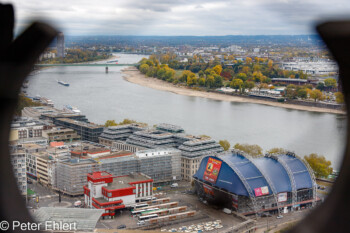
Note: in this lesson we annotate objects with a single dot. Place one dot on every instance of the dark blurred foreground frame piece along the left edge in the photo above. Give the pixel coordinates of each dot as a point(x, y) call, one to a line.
point(17, 58)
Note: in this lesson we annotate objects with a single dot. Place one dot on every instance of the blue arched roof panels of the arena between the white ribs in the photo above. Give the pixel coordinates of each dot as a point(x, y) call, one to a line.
point(228, 179)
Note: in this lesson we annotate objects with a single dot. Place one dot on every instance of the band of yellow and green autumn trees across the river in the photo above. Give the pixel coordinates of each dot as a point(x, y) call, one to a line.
point(241, 76)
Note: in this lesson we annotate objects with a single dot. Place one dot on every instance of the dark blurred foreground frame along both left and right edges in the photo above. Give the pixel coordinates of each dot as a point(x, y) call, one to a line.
point(18, 57)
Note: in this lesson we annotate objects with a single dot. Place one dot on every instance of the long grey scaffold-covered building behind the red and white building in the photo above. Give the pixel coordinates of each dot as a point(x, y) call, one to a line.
point(162, 165)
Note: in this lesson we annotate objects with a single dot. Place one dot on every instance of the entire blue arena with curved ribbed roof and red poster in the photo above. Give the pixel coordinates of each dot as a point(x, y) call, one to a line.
point(251, 185)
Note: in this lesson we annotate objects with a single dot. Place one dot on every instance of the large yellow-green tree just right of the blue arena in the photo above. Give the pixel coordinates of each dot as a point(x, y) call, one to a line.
point(319, 164)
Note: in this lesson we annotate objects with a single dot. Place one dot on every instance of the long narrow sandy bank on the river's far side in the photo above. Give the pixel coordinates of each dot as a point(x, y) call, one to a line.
point(131, 74)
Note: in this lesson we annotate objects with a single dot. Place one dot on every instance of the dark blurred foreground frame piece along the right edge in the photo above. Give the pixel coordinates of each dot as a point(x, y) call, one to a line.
point(334, 214)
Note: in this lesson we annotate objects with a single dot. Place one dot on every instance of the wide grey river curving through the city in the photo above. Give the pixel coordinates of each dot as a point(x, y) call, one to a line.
point(102, 96)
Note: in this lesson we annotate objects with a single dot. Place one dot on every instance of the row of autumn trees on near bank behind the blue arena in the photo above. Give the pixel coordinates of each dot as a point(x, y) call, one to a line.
point(319, 164)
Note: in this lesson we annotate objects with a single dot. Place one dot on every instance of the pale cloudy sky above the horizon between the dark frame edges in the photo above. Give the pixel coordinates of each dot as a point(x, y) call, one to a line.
point(182, 17)
